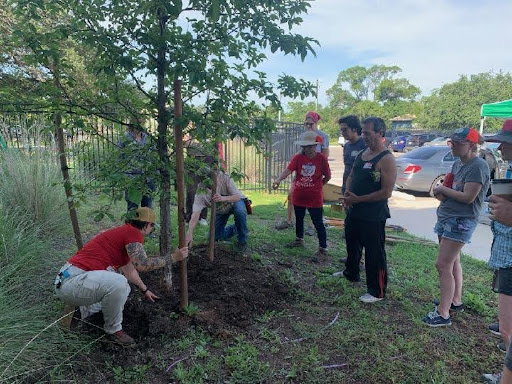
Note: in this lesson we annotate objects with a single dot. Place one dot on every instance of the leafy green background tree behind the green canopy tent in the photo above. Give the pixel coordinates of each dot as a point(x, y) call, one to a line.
point(458, 104)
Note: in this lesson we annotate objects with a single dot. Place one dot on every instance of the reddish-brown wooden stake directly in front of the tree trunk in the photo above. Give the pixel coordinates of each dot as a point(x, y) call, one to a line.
point(180, 182)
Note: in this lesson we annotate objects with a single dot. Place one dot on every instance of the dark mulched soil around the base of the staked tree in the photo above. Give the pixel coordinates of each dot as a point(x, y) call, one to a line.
point(228, 294)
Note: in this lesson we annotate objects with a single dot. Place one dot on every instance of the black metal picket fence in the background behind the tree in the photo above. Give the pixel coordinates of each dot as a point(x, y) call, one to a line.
point(89, 142)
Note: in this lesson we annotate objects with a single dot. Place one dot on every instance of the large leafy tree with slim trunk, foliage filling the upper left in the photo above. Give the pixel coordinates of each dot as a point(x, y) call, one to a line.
point(130, 53)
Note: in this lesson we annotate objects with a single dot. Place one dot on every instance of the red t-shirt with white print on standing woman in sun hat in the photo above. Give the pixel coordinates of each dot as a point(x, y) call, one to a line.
point(308, 185)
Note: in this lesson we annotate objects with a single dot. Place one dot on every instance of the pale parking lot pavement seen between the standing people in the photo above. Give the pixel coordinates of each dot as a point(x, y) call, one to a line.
point(417, 213)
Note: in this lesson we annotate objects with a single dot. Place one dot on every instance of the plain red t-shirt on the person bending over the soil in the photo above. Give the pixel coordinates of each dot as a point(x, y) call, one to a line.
point(107, 249)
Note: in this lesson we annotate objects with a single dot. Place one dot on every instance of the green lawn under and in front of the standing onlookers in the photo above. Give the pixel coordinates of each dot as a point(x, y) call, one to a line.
point(382, 343)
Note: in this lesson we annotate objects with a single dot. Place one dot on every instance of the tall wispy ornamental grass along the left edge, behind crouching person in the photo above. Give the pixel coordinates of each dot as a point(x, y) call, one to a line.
point(33, 347)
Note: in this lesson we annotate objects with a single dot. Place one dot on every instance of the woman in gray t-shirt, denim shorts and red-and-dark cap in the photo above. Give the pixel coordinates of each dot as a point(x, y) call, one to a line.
point(457, 217)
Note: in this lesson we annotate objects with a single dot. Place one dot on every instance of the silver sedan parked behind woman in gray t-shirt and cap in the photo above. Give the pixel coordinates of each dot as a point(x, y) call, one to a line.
point(423, 168)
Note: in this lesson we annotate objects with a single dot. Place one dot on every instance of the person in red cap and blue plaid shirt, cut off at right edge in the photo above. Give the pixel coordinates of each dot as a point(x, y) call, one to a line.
point(500, 210)
